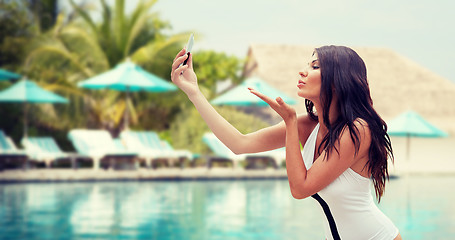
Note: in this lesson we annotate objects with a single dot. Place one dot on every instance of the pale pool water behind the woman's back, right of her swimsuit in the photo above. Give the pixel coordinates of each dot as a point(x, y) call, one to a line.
point(422, 206)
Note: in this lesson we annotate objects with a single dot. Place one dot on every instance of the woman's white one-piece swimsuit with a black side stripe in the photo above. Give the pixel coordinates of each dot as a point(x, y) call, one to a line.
point(348, 205)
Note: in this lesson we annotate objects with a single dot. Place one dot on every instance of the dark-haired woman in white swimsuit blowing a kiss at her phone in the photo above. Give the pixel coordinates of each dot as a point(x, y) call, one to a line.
point(346, 145)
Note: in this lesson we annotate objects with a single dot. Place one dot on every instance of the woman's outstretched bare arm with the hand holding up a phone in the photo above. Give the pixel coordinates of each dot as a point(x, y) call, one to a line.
point(265, 139)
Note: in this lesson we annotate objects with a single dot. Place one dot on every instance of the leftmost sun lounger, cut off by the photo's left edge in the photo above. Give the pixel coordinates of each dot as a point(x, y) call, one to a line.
point(10, 156)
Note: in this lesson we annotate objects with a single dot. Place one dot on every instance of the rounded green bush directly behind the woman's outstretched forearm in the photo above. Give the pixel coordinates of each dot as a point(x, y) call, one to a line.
point(189, 127)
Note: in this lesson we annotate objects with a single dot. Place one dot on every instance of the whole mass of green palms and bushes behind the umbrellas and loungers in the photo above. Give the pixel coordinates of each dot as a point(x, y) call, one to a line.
point(59, 50)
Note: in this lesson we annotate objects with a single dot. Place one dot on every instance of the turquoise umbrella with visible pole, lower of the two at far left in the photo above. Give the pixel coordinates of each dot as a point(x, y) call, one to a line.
point(26, 91)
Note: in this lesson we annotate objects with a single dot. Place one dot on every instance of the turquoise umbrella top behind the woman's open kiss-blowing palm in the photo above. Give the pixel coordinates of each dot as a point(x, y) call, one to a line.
point(241, 96)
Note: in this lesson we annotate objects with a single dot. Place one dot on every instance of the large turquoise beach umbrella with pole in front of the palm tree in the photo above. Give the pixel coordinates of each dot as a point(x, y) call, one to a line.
point(128, 77)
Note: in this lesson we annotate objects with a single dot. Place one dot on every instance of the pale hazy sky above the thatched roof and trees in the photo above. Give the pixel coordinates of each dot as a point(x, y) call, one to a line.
point(422, 31)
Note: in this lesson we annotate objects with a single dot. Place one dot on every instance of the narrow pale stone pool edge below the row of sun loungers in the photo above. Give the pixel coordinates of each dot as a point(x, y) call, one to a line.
point(162, 174)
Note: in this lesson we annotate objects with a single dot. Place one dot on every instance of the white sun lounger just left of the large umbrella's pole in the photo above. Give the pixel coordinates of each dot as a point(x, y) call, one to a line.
point(99, 145)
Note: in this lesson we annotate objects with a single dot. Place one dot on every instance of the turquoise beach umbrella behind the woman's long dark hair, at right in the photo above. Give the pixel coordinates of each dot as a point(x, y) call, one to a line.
point(410, 124)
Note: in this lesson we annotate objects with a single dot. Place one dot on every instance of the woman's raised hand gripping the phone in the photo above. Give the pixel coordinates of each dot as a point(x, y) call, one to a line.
point(183, 75)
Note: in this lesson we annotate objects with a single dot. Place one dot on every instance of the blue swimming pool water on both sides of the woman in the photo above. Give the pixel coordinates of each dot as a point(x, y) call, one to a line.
point(422, 207)
